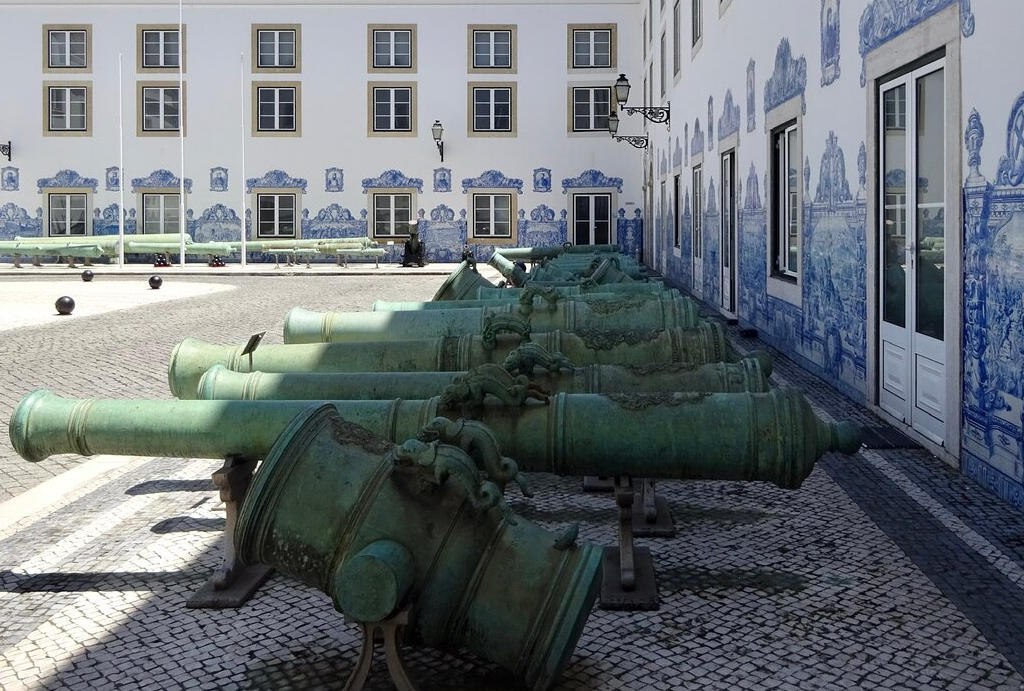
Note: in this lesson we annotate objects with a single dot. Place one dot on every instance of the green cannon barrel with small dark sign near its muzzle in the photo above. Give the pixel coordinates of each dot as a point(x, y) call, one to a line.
point(706, 343)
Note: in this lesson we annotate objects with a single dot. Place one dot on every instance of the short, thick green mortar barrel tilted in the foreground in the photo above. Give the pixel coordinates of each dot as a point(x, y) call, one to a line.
point(382, 529)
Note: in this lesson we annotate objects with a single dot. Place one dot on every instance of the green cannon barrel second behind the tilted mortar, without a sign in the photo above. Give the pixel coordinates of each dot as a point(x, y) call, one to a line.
point(221, 383)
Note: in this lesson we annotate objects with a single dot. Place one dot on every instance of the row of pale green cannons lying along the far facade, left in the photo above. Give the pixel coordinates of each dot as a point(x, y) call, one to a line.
point(162, 246)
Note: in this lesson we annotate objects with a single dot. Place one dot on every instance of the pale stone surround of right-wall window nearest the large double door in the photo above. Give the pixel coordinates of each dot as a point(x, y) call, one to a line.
point(788, 289)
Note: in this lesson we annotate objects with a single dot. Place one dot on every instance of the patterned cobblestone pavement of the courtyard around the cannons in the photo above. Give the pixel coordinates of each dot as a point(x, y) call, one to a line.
point(884, 571)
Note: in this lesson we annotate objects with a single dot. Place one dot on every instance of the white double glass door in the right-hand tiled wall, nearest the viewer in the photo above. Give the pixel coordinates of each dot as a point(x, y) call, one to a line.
point(912, 245)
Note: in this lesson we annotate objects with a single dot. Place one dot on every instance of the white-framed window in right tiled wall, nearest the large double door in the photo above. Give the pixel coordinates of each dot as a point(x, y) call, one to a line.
point(786, 201)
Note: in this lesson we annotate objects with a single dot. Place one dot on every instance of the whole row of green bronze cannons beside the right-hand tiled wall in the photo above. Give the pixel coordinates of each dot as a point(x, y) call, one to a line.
point(389, 439)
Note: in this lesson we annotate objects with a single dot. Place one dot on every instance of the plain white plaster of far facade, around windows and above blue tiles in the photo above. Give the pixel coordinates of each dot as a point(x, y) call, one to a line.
point(334, 76)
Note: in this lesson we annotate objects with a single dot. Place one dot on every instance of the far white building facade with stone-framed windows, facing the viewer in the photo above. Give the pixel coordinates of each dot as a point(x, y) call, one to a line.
point(331, 106)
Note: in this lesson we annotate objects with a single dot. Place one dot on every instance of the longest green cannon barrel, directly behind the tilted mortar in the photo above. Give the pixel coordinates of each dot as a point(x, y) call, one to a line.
point(772, 437)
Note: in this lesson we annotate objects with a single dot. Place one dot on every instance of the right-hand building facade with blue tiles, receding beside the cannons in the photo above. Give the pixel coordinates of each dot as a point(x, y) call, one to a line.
point(828, 180)
